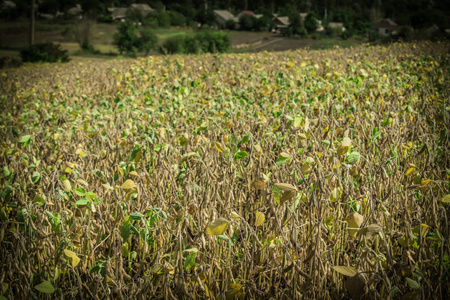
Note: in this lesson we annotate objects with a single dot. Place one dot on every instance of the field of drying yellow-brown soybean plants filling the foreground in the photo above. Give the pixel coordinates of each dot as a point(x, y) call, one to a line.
point(303, 174)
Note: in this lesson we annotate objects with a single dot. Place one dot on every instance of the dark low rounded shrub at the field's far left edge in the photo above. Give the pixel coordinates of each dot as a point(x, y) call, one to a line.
point(45, 52)
